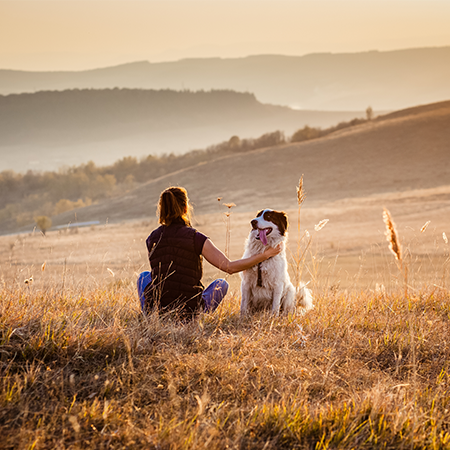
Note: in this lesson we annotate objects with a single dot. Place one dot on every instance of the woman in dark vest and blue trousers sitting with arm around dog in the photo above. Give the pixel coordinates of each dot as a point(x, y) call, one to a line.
point(175, 252)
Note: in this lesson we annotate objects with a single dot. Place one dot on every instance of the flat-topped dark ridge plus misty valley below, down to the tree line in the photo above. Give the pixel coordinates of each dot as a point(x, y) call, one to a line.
point(48, 129)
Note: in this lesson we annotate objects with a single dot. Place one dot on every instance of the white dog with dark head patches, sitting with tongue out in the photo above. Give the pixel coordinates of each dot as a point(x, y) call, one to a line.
point(267, 286)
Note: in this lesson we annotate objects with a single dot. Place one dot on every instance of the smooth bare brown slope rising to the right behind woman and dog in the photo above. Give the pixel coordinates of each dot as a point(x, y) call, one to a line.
point(405, 151)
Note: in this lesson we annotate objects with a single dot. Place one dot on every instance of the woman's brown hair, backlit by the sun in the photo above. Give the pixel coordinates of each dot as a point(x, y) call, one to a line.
point(174, 205)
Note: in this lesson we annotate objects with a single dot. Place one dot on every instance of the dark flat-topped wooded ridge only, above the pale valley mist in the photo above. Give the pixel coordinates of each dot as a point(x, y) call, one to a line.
point(83, 115)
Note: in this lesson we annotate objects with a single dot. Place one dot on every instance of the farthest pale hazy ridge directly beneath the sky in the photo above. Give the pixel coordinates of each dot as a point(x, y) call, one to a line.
point(385, 80)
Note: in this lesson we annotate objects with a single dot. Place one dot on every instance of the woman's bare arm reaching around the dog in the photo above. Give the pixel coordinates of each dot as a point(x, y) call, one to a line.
point(215, 257)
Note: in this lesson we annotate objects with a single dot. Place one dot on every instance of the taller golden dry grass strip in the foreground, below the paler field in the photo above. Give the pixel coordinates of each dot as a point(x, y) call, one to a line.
point(85, 370)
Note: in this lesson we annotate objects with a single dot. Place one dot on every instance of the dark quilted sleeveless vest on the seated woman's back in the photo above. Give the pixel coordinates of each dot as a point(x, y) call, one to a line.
point(176, 270)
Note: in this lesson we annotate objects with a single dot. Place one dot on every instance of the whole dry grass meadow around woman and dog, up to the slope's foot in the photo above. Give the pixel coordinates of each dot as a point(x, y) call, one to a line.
point(368, 367)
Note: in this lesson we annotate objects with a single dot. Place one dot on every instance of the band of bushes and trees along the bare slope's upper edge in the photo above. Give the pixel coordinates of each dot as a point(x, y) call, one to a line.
point(35, 194)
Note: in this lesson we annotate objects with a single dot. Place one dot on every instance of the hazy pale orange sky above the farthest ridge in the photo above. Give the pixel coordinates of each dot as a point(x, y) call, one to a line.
point(83, 34)
